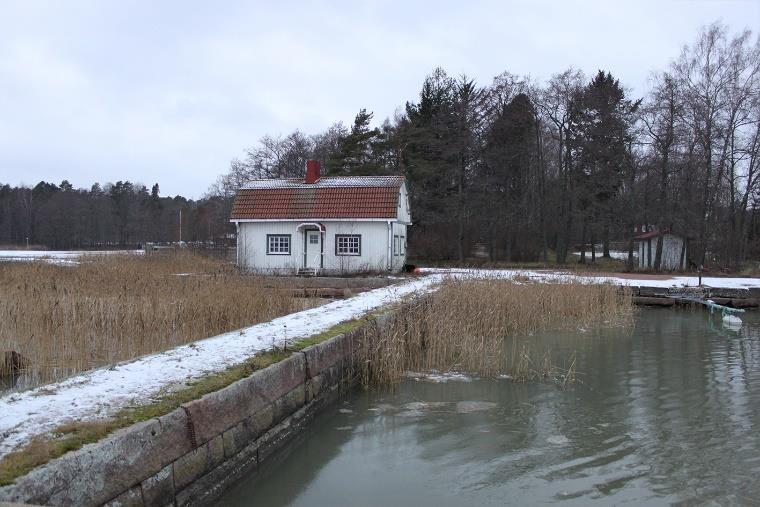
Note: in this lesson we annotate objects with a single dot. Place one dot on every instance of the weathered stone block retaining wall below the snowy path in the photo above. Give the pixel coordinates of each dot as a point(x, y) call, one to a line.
point(189, 456)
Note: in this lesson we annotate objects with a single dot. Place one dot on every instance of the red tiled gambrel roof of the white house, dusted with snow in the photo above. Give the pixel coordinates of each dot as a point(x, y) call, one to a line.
point(329, 197)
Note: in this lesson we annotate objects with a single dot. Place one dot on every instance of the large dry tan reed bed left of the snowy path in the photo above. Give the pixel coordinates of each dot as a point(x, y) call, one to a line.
point(61, 320)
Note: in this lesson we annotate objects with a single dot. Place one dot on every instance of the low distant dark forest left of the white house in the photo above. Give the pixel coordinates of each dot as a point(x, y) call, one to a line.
point(115, 215)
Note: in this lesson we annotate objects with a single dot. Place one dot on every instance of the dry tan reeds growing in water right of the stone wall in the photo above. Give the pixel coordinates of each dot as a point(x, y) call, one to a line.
point(483, 327)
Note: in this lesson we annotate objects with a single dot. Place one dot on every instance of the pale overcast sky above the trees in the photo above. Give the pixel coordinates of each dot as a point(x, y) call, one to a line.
point(169, 92)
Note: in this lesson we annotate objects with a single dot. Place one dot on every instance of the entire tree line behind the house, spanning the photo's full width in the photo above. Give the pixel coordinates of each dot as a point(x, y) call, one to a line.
point(514, 170)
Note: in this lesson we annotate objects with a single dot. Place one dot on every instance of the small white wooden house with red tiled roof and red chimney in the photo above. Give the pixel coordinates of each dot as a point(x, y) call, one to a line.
point(322, 225)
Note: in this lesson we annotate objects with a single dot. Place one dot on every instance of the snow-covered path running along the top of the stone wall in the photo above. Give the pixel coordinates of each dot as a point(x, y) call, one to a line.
point(102, 392)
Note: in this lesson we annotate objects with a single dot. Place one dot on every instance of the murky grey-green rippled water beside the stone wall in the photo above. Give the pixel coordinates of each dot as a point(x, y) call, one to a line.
point(668, 411)
